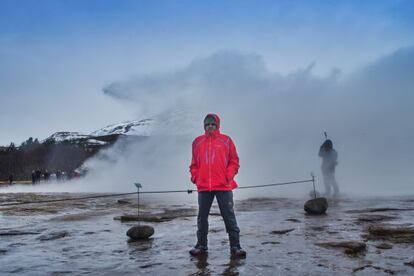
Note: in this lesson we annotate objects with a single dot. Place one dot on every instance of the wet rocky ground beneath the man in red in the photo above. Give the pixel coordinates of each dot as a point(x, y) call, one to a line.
point(362, 236)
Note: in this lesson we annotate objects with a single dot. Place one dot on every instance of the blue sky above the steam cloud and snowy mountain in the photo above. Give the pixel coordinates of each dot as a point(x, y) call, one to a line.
point(56, 57)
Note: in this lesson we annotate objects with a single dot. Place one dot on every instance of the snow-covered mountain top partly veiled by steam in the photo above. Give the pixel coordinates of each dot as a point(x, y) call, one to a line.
point(137, 128)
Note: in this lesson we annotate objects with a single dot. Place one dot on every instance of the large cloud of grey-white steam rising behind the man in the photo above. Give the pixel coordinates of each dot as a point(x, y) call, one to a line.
point(276, 121)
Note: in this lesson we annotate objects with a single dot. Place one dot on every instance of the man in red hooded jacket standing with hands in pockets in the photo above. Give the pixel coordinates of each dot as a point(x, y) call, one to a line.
point(213, 166)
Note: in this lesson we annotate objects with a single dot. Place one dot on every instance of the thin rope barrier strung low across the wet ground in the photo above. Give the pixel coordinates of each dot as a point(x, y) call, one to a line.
point(189, 191)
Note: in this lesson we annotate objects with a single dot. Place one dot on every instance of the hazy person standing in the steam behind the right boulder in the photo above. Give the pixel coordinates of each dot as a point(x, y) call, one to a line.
point(329, 161)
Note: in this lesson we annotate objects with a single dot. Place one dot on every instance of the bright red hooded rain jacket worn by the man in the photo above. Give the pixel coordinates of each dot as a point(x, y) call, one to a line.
point(215, 161)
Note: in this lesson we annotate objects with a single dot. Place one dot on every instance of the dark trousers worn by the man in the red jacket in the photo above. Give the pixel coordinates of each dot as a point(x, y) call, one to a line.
point(225, 202)
